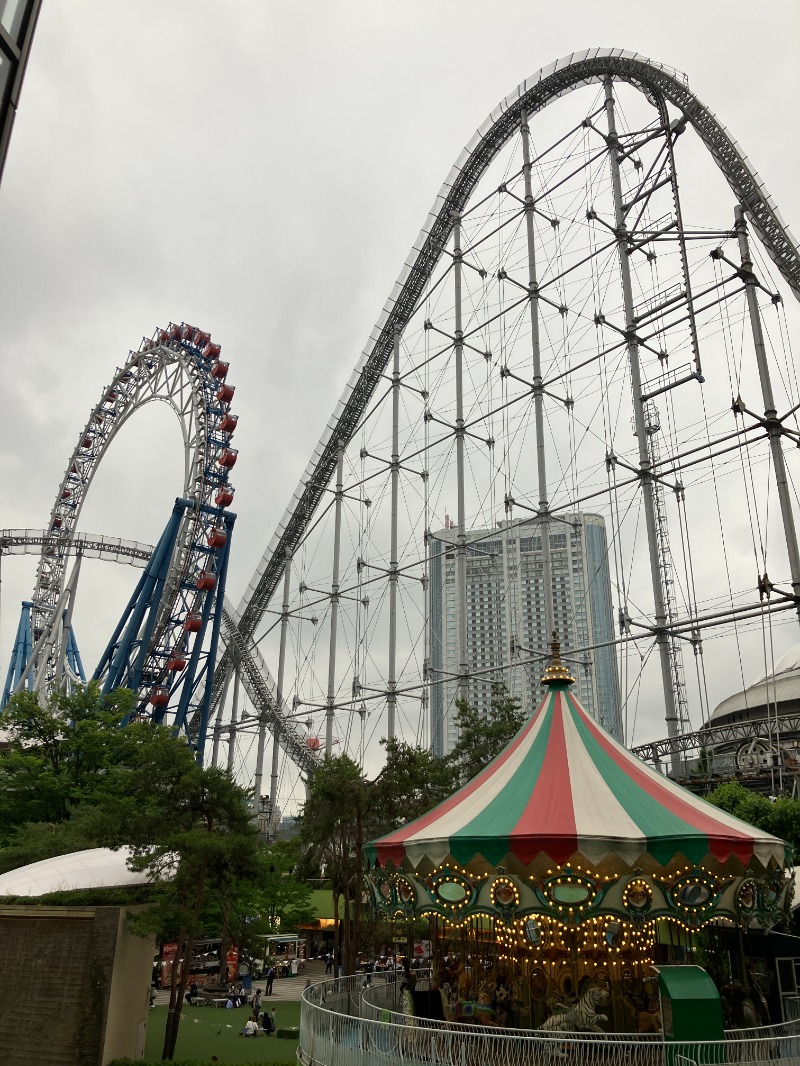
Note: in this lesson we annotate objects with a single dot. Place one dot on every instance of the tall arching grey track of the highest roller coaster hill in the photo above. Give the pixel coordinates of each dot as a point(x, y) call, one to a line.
point(657, 82)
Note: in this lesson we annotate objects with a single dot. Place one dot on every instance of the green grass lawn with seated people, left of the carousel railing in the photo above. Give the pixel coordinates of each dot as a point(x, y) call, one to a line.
point(206, 1031)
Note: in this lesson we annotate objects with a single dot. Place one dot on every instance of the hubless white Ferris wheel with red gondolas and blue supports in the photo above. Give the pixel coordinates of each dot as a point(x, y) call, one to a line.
point(159, 648)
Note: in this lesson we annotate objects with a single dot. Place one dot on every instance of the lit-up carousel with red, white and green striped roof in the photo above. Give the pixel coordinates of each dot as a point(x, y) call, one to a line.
point(558, 878)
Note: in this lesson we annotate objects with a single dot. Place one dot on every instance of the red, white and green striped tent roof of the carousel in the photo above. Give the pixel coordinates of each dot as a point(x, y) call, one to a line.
point(566, 793)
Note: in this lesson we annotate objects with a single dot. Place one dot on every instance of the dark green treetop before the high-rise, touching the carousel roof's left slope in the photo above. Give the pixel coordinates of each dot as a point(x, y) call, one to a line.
point(485, 732)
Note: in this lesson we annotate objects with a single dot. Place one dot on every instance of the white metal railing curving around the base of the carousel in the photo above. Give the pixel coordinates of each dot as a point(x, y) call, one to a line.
point(355, 1023)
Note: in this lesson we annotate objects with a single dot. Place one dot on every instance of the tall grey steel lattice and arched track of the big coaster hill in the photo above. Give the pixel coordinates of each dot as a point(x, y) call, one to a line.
point(555, 277)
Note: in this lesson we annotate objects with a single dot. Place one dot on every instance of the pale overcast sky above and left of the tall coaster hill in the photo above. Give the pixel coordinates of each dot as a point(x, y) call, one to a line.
point(262, 170)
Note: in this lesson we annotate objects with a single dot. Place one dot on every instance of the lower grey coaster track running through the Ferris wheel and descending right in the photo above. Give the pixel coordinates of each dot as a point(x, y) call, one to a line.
point(257, 677)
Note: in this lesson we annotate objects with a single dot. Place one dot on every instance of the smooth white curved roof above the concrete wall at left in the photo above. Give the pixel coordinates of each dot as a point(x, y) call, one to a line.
point(97, 868)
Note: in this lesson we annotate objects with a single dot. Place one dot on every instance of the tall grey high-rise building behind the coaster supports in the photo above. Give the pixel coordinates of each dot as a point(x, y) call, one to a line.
point(506, 618)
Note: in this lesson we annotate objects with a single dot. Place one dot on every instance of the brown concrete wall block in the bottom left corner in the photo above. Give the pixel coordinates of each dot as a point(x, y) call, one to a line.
point(74, 987)
